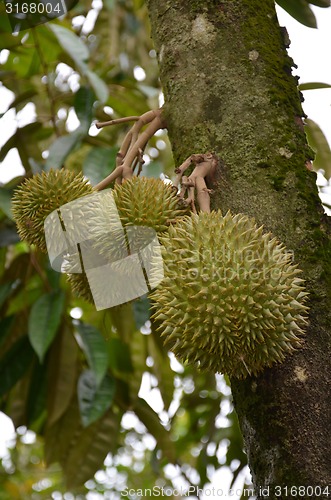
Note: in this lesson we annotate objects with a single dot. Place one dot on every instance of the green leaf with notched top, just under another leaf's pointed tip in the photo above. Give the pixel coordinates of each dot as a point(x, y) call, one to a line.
point(94, 401)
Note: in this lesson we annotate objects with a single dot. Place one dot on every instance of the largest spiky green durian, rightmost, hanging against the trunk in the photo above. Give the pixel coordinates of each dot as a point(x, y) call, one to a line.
point(231, 300)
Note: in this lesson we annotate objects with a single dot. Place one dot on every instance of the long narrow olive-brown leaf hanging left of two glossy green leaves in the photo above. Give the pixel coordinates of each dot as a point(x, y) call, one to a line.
point(62, 376)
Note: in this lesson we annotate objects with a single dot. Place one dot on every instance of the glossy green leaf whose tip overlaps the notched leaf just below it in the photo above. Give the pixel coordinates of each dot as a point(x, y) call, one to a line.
point(95, 349)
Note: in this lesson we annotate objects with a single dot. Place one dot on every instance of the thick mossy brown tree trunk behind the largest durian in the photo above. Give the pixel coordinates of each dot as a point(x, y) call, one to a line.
point(228, 88)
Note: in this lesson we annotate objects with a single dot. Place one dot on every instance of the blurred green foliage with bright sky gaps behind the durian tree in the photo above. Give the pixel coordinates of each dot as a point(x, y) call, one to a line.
point(97, 402)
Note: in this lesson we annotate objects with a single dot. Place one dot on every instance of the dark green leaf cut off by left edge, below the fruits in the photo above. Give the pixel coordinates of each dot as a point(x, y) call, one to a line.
point(14, 364)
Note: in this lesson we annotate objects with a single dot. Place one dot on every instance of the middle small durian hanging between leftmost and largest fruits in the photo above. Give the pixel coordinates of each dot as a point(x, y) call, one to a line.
point(141, 204)
